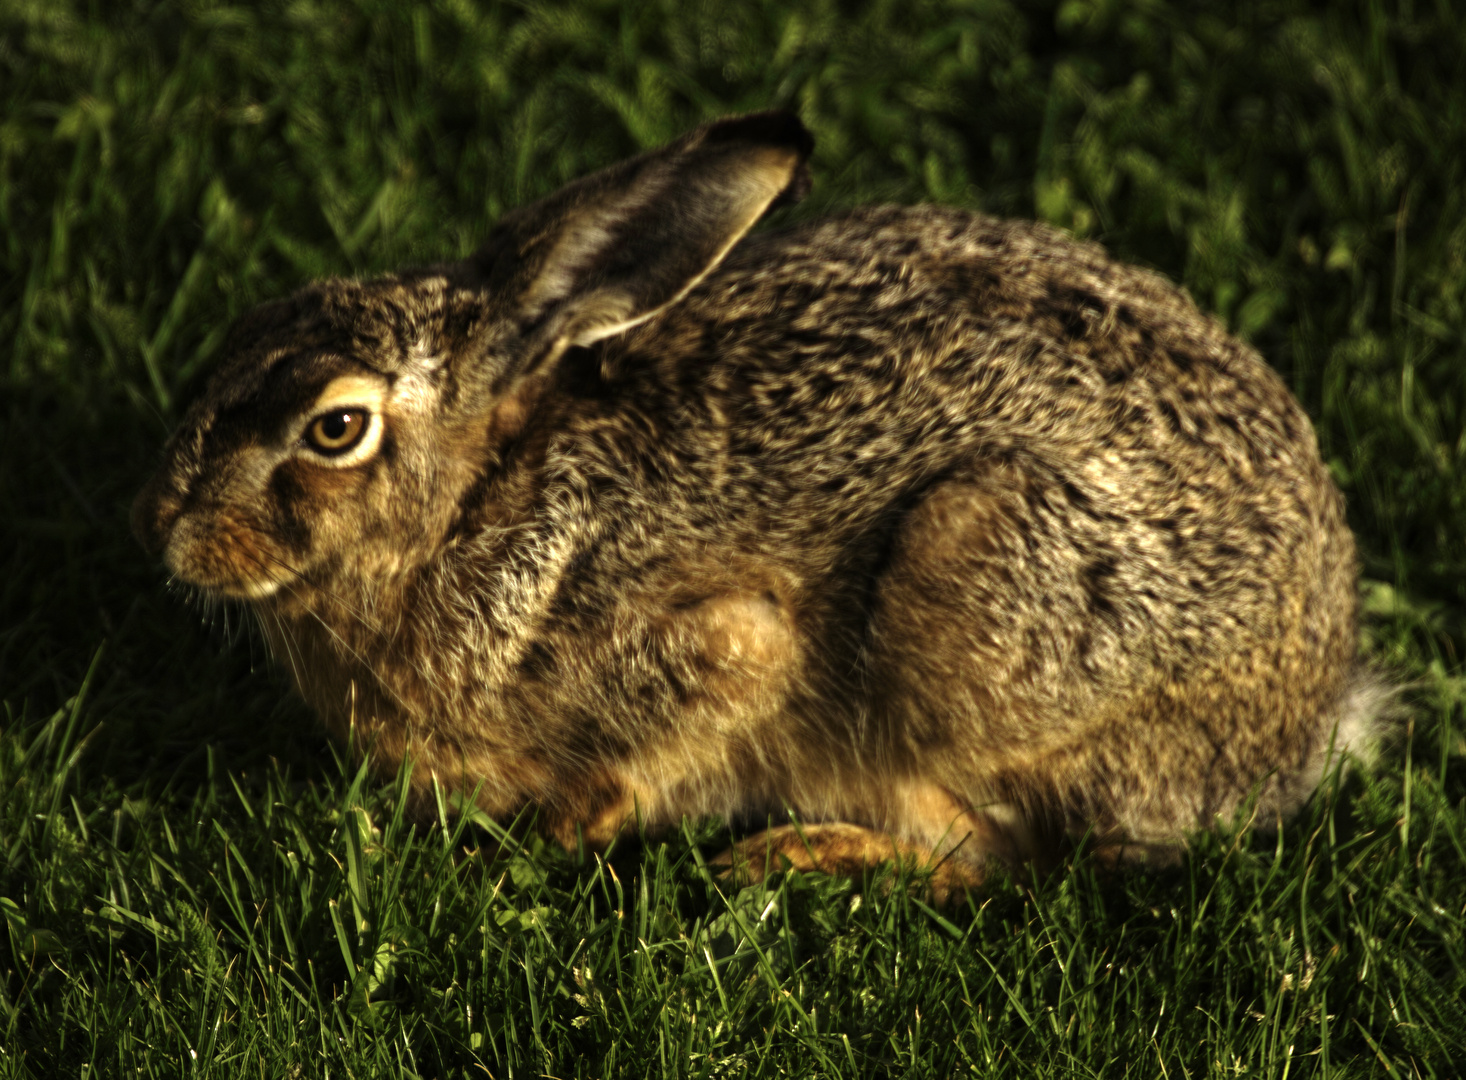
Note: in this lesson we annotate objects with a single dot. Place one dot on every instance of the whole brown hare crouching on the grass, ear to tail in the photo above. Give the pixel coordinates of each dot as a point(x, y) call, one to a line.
point(949, 539)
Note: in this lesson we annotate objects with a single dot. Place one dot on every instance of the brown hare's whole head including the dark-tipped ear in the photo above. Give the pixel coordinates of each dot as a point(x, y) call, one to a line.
point(347, 424)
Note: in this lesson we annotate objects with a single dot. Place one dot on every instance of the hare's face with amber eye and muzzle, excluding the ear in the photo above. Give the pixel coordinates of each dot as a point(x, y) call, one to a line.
point(332, 443)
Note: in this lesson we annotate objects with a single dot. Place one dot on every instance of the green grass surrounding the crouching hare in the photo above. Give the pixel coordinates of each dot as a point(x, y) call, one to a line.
point(196, 883)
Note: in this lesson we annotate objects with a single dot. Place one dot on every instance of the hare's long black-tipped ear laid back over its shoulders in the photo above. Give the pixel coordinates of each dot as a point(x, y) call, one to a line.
point(619, 247)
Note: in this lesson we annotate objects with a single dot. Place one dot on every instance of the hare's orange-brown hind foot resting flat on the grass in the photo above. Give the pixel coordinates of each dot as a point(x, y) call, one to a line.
point(848, 852)
